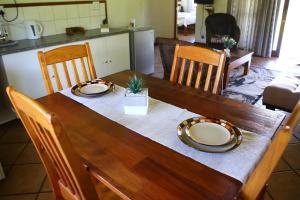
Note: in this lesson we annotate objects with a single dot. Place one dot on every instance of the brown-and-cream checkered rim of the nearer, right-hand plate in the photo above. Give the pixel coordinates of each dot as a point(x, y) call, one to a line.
point(234, 143)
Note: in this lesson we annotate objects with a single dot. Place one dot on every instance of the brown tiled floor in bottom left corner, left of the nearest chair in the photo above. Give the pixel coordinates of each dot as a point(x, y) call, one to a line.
point(25, 174)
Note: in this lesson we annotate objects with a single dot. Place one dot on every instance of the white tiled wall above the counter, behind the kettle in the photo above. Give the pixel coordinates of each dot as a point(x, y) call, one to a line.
point(55, 19)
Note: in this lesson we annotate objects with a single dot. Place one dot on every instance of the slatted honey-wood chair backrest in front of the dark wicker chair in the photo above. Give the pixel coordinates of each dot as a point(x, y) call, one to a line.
point(202, 57)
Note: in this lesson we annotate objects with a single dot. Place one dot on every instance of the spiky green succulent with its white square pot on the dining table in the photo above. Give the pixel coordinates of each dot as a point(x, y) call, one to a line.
point(136, 97)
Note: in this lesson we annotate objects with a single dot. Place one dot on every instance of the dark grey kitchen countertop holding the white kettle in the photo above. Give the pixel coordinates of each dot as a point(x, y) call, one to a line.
point(52, 40)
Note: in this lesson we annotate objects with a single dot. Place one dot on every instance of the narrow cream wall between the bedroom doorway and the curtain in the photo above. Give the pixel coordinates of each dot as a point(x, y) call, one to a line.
point(220, 6)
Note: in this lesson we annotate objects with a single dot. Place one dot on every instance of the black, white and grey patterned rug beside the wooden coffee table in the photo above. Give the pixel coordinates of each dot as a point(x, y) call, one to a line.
point(249, 88)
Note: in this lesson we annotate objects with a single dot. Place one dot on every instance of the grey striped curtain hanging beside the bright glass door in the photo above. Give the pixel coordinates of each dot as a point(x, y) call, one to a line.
point(257, 21)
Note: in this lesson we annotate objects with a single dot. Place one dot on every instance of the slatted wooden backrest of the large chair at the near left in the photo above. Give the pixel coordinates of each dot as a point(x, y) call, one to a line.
point(68, 176)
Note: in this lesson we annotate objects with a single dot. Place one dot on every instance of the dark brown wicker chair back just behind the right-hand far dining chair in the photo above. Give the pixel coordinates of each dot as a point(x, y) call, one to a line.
point(167, 49)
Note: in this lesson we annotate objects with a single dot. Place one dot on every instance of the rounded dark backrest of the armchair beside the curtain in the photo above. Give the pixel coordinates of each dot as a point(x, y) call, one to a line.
point(221, 24)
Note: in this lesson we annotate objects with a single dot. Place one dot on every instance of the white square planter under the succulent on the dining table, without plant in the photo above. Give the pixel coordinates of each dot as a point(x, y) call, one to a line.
point(136, 104)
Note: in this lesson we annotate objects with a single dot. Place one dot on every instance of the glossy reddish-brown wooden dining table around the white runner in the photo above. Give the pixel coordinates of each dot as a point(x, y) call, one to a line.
point(136, 167)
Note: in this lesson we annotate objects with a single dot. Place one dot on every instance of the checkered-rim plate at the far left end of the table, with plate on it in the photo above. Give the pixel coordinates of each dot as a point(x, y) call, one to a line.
point(92, 88)
